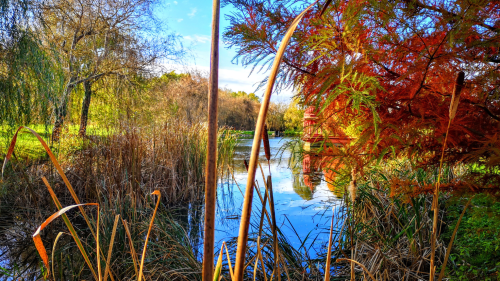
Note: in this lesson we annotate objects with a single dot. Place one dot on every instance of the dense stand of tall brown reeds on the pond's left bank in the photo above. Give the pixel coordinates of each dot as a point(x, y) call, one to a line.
point(131, 161)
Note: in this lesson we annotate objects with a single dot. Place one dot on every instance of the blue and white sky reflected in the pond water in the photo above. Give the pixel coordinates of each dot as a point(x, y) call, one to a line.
point(307, 212)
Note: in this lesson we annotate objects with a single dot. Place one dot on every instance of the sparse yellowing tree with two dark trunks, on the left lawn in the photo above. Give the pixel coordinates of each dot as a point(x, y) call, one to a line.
point(98, 39)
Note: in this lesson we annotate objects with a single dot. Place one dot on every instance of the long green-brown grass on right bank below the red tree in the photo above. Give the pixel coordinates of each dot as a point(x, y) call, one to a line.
point(386, 235)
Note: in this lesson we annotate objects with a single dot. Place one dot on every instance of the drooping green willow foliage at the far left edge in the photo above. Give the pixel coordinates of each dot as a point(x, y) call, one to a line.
point(30, 76)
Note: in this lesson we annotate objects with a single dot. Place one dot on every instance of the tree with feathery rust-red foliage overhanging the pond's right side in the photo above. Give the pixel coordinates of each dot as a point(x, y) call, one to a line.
point(388, 68)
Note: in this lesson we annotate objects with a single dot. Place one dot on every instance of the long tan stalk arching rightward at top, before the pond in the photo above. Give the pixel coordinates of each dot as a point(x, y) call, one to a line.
point(247, 204)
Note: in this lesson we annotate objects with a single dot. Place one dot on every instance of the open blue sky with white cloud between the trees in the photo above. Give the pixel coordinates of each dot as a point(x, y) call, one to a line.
point(192, 20)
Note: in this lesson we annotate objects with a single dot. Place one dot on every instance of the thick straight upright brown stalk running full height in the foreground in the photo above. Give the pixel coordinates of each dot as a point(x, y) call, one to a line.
point(211, 164)
